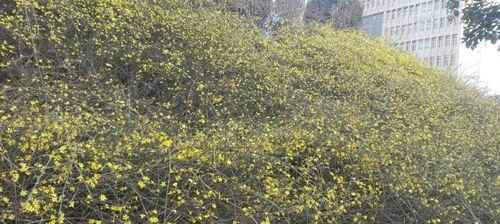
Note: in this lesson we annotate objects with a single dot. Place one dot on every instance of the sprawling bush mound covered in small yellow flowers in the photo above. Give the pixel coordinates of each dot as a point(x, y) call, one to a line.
point(163, 111)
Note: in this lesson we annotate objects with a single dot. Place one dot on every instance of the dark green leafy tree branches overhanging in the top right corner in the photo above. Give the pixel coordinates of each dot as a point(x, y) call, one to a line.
point(481, 19)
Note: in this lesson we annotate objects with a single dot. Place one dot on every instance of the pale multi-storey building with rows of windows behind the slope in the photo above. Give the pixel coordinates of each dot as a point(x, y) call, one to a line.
point(422, 27)
